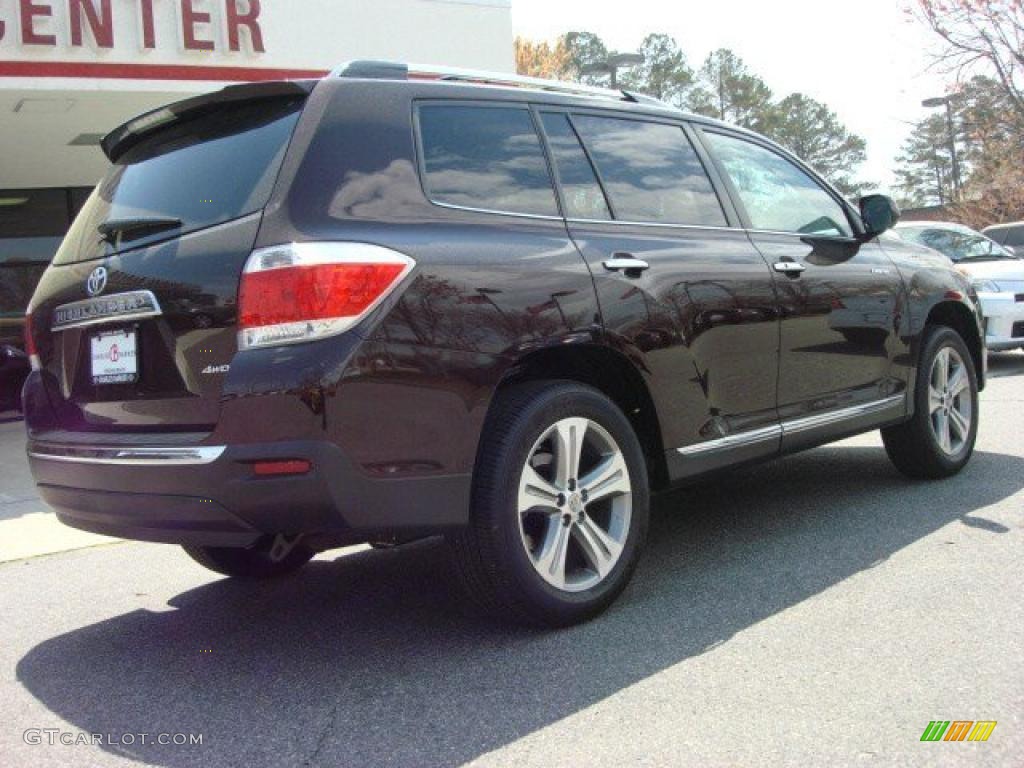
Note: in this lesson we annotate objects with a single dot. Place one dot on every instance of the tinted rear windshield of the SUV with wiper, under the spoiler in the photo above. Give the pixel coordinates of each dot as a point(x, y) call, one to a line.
point(200, 172)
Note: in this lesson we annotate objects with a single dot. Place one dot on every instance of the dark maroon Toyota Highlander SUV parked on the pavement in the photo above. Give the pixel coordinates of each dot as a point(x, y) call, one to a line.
point(388, 306)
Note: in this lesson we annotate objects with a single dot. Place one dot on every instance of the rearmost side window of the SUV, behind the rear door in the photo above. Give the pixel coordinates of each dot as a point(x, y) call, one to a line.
point(486, 158)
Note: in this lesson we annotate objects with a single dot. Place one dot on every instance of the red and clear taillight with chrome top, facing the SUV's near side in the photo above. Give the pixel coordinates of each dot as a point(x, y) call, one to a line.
point(307, 291)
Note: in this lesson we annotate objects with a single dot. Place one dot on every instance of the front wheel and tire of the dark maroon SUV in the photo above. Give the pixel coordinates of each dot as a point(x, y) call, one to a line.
point(916, 447)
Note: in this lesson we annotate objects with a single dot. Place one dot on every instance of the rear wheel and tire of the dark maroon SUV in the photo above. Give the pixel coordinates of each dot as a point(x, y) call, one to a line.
point(508, 559)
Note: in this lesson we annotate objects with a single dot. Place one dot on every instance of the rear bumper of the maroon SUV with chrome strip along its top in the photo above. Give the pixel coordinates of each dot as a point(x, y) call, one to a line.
point(210, 495)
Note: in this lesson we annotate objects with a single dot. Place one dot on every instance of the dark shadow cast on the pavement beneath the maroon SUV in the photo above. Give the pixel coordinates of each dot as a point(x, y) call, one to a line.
point(373, 660)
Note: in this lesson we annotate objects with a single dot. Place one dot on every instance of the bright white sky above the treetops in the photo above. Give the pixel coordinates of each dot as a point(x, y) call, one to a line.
point(868, 61)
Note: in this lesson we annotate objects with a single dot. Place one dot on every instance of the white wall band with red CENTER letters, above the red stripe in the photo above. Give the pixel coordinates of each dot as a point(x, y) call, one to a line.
point(296, 34)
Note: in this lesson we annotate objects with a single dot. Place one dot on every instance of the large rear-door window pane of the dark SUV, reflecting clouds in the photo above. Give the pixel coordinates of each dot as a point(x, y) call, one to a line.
point(651, 173)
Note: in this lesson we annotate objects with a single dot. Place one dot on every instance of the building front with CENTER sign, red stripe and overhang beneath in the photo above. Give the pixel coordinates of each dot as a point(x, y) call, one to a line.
point(61, 78)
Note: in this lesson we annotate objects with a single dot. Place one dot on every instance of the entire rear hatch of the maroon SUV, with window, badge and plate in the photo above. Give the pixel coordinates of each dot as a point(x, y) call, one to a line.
point(175, 222)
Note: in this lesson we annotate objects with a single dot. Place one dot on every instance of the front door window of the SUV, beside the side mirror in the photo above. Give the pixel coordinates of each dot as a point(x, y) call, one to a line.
point(778, 195)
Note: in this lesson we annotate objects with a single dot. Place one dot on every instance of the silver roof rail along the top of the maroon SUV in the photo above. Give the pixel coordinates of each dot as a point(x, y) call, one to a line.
point(400, 71)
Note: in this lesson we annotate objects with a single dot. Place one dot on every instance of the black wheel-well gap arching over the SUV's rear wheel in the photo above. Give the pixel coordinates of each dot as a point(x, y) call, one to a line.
point(612, 374)
